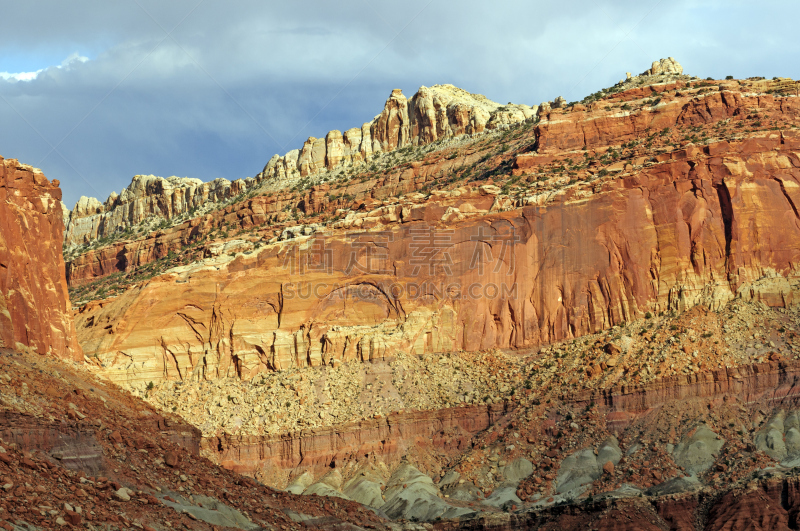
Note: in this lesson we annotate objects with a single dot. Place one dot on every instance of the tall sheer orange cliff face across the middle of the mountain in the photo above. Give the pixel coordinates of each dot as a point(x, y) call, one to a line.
point(702, 227)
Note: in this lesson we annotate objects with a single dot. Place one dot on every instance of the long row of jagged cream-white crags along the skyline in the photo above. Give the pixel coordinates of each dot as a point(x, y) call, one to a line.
point(432, 115)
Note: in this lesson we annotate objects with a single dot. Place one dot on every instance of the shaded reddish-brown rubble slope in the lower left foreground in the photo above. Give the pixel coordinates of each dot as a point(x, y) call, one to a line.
point(76, 452)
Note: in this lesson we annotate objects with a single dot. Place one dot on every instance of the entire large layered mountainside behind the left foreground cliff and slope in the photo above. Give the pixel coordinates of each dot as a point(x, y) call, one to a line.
point(586, 318)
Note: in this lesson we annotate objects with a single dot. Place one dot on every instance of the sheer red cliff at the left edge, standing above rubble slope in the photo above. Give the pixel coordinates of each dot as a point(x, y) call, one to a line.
point(35, 311)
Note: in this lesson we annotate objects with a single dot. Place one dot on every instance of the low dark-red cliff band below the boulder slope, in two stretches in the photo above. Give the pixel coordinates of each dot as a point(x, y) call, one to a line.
point(451, 432)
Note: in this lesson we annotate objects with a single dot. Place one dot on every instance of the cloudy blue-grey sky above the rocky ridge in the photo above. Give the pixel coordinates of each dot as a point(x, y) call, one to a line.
point(94, 92)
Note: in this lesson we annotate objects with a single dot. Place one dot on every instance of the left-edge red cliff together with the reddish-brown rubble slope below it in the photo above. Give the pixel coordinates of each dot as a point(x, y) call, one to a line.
point(76, 451)
